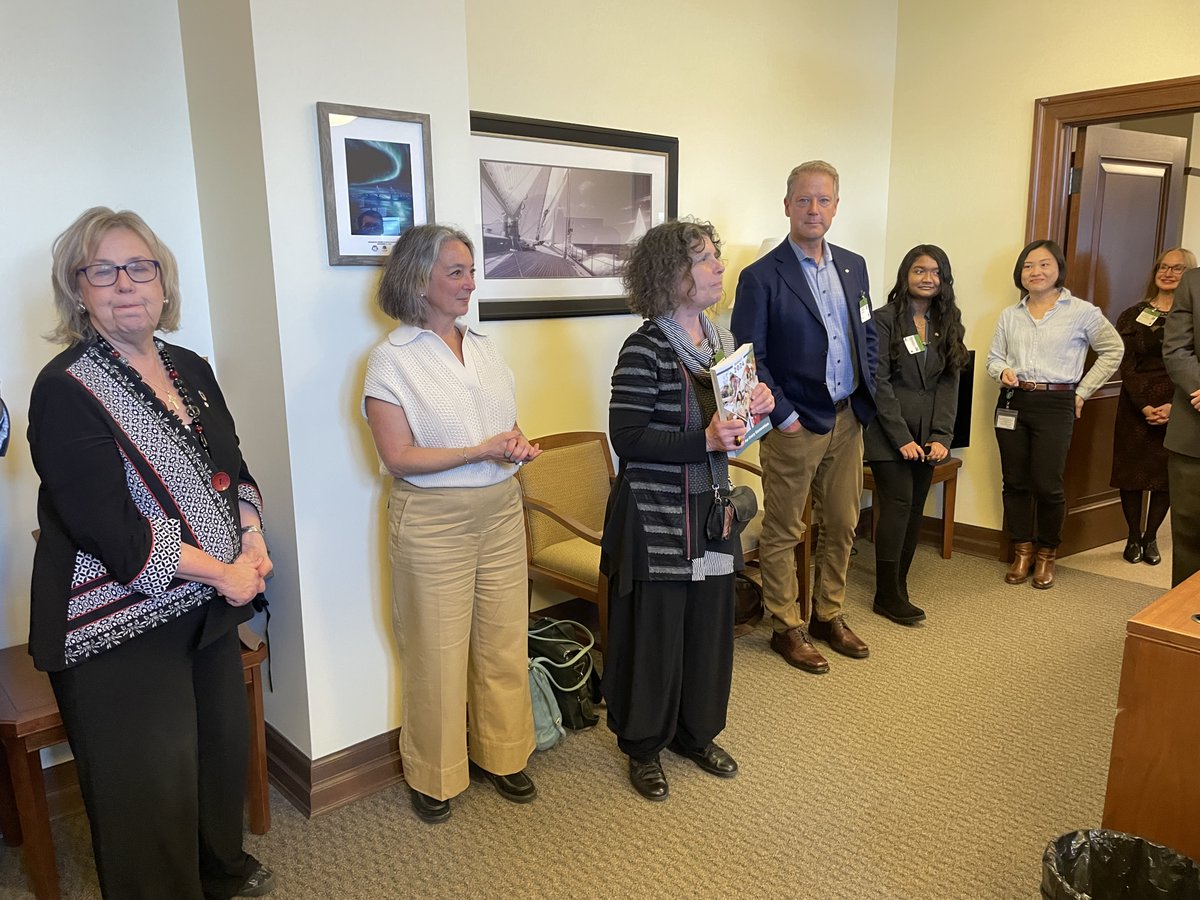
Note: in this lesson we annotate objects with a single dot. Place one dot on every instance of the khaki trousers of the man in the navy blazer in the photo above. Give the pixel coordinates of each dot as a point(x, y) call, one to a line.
point(832, 467)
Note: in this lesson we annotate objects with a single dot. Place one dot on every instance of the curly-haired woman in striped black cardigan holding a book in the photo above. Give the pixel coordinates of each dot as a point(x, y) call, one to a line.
point(670, 658)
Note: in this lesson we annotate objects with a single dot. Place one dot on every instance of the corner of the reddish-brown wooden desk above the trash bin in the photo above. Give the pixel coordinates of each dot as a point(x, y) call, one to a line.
point(1155, 770)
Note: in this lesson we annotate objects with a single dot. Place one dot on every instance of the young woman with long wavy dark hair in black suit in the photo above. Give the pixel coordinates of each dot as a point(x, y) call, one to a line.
point(917, 395)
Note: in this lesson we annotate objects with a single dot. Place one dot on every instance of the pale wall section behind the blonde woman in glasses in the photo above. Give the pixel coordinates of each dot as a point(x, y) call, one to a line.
point(83, 127)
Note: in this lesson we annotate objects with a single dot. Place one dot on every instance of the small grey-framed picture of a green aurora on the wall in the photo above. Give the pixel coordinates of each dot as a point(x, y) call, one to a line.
point(377, 173)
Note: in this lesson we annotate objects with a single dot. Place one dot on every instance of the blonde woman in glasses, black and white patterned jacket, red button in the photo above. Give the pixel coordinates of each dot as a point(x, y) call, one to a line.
point(151, 555)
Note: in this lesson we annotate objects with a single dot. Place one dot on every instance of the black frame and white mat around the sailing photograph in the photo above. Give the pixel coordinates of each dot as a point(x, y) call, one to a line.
point(545, 141)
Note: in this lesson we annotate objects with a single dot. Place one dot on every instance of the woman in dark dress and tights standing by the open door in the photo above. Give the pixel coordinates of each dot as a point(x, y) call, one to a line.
point(1139, 461)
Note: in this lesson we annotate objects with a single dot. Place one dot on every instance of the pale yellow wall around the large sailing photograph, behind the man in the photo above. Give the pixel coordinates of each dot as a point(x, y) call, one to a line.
point(737, 88)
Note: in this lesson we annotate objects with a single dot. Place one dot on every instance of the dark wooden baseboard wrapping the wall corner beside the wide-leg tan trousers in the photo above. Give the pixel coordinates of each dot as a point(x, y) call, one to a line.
point(317, 787)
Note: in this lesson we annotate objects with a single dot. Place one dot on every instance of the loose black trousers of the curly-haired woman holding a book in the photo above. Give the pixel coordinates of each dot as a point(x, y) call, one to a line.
point(670, 664)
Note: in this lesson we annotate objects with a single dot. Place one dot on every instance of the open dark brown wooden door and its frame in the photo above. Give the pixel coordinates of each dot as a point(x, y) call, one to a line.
point(1061, 143)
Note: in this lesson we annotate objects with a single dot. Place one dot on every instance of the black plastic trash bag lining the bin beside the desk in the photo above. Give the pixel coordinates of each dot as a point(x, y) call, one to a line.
point(1099, 865)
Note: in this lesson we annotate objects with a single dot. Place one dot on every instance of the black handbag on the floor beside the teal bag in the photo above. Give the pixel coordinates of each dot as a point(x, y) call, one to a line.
point(567, 659)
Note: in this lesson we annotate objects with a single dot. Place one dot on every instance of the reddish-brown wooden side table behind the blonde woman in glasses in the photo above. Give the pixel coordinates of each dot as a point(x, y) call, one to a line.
point(31, 721)
